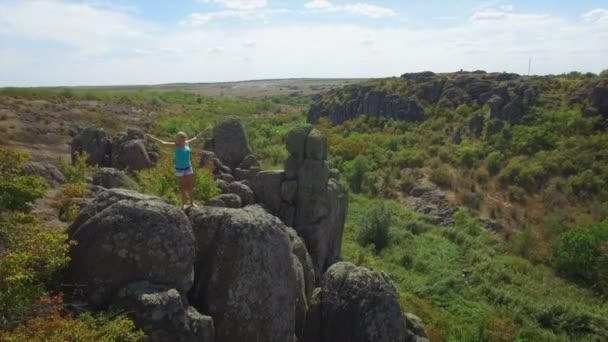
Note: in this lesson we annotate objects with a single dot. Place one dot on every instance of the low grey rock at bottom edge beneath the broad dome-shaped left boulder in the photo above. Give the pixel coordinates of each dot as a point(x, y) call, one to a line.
point(161, 312)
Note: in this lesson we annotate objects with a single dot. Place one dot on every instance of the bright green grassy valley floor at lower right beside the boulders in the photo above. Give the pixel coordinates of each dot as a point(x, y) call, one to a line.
point(462, 284)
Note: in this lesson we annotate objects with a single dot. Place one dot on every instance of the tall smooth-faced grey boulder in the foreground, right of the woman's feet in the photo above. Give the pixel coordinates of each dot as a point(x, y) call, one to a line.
point(245, 275)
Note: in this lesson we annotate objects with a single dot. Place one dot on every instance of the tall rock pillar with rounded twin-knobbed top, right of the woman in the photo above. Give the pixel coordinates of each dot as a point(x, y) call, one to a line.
point(305, 197)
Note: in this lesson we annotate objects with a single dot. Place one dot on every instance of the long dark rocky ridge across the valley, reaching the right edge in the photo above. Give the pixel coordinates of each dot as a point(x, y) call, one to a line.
point(414, 96)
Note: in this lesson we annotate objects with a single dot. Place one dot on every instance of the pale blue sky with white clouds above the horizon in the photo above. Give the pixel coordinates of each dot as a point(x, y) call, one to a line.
point(117, 42)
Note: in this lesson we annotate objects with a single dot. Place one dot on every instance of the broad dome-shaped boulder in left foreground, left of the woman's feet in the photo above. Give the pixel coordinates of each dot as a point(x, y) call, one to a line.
point(130, 240)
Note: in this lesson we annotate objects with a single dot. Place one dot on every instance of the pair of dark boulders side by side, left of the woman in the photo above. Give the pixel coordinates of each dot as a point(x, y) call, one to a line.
point(126, 150)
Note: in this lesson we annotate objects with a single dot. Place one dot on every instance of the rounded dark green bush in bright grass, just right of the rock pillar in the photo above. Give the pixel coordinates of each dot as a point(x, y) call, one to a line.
point(375, 227)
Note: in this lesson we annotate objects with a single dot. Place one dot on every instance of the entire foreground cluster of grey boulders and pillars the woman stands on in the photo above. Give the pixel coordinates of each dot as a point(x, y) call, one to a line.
point(235, 270)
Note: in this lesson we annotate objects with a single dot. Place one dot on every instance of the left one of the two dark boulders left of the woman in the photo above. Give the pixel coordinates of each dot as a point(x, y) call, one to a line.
point(94, 142)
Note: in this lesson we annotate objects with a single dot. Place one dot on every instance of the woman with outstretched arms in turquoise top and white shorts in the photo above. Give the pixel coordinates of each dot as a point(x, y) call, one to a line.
point(183, 165)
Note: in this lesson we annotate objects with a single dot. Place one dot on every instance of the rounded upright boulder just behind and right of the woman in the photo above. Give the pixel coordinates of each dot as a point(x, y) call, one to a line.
point(230, 143)
